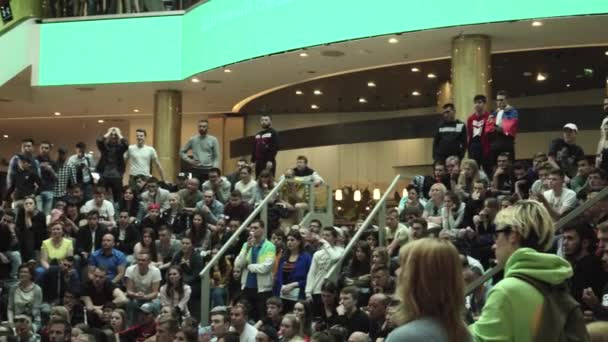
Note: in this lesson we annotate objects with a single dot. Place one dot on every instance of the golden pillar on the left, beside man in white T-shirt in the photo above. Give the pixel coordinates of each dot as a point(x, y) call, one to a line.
point(167, 130)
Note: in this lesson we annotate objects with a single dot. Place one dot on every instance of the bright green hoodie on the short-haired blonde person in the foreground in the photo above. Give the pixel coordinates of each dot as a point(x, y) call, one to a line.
point(512, 311)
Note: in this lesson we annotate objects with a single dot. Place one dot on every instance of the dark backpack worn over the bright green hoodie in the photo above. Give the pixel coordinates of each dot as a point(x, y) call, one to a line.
point(562, 318)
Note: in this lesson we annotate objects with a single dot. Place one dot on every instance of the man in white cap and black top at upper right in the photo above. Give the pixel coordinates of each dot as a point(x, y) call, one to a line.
point(564, 153)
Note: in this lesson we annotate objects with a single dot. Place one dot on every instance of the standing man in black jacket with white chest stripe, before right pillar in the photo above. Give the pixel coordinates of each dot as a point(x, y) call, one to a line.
point(451, 136)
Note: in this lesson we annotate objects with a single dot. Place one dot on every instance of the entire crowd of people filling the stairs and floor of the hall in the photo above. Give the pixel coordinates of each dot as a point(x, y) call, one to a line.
point(84, 257)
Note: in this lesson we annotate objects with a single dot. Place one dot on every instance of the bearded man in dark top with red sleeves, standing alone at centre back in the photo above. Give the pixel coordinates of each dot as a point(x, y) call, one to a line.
point(265, 147)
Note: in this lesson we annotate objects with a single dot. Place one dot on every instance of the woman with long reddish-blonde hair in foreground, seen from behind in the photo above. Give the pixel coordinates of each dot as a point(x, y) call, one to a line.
point(431, 289)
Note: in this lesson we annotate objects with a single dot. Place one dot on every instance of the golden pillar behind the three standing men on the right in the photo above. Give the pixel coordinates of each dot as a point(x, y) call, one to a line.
point(471, 71)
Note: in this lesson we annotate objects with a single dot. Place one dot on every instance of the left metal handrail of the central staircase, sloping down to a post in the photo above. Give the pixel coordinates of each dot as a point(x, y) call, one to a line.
point(204, 274)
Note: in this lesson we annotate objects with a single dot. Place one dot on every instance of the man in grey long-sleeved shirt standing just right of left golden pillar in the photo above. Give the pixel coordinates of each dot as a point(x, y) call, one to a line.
point(205, 152)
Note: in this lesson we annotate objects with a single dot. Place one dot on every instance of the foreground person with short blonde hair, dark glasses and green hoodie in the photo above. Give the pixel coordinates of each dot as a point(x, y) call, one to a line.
point(524, 232)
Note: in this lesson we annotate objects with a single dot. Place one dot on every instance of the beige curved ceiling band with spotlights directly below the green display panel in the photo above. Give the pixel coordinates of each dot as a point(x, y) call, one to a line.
point(252, 78)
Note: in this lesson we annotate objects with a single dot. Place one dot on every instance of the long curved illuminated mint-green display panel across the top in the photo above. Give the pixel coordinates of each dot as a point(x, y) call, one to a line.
point(223, 32)
